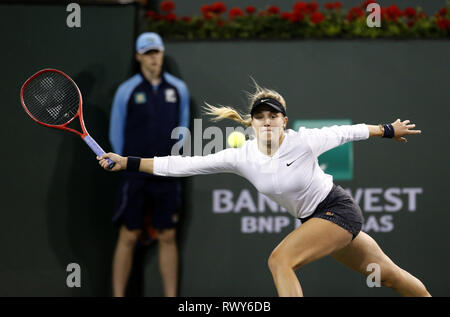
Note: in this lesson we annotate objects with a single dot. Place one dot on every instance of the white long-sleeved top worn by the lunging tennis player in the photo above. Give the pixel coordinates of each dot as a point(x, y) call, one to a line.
point(291, 177)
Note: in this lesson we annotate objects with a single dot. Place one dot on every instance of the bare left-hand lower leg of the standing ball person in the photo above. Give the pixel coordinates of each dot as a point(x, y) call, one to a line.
point(123, 259)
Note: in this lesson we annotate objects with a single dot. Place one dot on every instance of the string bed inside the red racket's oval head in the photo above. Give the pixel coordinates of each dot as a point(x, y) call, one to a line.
point(51, 98)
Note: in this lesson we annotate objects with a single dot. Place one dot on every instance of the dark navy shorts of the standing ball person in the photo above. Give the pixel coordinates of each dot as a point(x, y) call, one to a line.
point(147, 203)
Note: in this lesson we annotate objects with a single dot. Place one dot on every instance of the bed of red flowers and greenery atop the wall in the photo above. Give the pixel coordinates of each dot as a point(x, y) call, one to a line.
point(306, 20)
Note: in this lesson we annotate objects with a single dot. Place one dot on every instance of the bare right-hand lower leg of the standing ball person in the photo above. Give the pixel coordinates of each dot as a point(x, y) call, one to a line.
point(168, 261)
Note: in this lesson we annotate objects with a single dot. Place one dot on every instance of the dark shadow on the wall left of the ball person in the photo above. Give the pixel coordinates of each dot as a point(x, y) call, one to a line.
point(80, 202)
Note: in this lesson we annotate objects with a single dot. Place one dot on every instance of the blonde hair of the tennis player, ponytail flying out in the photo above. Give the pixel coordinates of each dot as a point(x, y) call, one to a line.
point(226, 112)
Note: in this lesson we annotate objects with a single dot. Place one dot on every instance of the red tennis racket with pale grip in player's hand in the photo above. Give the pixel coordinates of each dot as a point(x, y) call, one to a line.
point(52, 98)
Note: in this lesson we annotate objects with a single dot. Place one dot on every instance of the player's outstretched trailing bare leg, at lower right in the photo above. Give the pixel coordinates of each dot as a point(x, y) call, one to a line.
point(363, 250)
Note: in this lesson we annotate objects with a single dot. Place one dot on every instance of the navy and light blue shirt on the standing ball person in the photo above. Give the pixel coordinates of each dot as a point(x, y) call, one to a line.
point(143, 116)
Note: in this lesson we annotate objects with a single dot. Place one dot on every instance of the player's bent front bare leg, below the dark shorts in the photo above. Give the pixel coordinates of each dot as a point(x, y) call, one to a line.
point(311, 241)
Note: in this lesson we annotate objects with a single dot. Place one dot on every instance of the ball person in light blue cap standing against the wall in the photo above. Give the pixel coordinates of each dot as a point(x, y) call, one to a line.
point(146, 108)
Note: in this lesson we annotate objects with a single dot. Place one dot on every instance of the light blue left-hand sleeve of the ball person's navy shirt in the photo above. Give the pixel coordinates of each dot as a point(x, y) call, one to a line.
point(119, 112)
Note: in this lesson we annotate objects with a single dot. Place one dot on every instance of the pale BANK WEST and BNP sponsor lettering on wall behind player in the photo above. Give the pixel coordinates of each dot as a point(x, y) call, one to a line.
point(372, 200)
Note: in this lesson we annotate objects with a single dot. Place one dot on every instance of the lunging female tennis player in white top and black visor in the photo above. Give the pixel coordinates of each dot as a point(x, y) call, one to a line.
point(283, 165)
